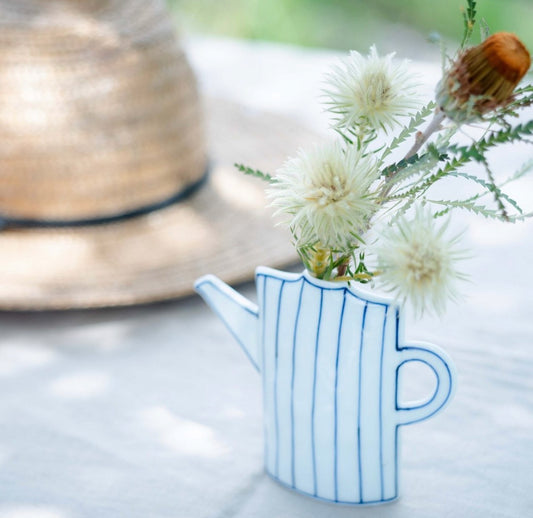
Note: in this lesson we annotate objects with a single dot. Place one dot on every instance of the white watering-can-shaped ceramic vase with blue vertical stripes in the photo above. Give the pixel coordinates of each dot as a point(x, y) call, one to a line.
point(329, 356)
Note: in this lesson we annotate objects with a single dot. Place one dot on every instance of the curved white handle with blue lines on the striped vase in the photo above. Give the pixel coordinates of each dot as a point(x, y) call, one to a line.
point(438, 361)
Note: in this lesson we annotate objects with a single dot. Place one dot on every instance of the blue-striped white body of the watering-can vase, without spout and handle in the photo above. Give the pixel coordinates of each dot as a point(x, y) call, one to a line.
point(312, 373)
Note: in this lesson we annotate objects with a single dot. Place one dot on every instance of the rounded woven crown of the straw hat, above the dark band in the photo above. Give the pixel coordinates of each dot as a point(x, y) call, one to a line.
point(99, 110)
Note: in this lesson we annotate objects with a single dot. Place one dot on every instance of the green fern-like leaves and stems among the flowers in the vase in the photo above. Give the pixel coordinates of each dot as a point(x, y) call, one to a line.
point(435, 155)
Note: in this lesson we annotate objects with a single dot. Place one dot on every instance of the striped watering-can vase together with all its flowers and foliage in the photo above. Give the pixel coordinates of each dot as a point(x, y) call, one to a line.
point(329, 353)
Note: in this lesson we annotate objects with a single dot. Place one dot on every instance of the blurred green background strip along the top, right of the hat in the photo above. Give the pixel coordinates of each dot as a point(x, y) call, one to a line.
point(347, 24)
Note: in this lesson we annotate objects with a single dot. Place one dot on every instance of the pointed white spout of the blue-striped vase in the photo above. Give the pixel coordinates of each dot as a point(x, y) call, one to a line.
point(239, 314)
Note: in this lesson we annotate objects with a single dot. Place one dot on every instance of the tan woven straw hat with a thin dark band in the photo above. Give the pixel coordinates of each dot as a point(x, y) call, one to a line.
point(104, 195)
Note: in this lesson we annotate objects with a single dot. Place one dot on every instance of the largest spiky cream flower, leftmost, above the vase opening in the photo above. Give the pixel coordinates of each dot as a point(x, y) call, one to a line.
point(325, 195)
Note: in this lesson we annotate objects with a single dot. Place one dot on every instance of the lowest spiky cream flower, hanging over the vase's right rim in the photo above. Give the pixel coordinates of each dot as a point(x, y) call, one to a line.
point(418, 263)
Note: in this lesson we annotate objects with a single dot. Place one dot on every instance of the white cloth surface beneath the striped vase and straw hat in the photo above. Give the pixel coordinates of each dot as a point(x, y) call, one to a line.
point(156, 412)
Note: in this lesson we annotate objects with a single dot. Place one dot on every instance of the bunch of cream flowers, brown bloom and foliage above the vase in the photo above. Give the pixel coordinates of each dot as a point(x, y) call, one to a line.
point(357, 216)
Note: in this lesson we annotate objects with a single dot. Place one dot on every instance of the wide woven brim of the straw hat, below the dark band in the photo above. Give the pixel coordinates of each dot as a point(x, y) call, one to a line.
point(224, 228)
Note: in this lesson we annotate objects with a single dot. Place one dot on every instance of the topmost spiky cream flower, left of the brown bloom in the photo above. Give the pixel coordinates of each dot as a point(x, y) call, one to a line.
point(371, 90)
